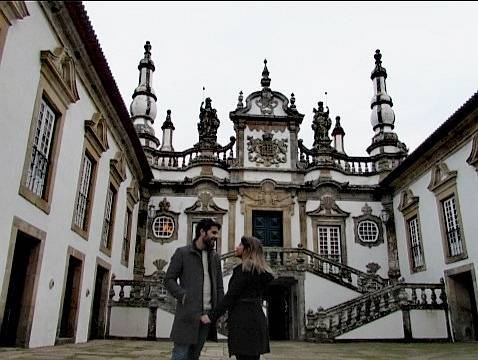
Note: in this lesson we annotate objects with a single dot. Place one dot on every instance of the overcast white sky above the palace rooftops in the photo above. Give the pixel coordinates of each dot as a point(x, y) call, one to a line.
point(429, 50)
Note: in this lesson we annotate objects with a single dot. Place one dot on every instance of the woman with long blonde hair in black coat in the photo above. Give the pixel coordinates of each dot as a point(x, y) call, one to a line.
point(248, 334)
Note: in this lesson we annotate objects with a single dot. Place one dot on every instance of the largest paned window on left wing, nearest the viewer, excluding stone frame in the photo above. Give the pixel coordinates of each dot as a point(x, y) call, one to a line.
point(42, 140)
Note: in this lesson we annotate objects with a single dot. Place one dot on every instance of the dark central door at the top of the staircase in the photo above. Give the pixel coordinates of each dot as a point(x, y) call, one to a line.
point(267, 227)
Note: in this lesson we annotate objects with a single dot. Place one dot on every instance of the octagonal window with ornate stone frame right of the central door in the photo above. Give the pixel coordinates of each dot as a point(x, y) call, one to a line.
point(368, 228)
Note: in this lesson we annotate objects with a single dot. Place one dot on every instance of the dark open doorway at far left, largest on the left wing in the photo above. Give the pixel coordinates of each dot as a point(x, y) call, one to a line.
point(20, 299)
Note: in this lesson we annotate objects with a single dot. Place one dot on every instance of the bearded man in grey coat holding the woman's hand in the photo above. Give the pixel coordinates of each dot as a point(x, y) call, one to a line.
point(200, 289)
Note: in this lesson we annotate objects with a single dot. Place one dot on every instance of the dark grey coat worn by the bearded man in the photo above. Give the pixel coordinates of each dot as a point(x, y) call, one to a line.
point(186, 265)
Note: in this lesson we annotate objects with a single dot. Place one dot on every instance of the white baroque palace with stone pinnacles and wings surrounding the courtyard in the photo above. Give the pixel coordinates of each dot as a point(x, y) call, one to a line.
point(378, 247)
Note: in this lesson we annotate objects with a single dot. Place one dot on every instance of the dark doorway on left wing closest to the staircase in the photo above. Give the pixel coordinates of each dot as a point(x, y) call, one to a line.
point(100, 302)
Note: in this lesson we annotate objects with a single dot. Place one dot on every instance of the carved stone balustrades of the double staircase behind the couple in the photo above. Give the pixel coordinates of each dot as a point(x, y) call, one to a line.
point(379, 297)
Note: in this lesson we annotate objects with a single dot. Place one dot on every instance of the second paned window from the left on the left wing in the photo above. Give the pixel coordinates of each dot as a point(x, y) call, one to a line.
point(84, 193)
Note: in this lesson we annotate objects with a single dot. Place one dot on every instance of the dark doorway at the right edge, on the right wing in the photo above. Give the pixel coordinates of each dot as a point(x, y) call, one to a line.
point(463, 310)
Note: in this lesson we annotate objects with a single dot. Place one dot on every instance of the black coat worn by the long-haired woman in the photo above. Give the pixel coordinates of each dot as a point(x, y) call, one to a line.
point(247, 325)
